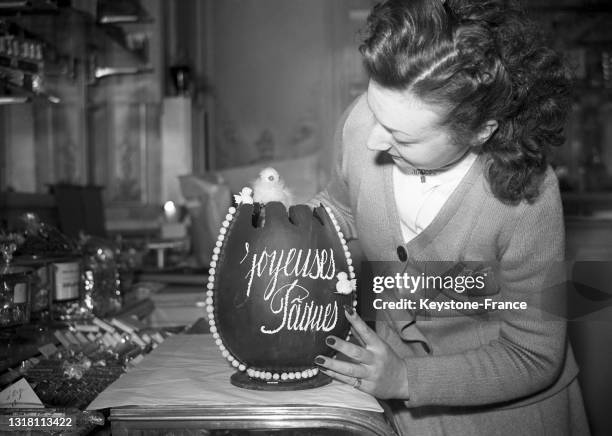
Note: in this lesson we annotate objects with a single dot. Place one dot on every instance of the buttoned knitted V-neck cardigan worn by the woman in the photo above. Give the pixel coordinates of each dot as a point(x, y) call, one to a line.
point(497, 360)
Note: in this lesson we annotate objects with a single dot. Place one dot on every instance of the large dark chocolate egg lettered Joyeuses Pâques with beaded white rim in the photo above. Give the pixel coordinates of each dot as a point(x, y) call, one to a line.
point(273, 291)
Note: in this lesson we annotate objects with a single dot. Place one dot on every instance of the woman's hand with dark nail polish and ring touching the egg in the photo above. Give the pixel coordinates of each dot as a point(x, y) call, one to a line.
point(376, 368)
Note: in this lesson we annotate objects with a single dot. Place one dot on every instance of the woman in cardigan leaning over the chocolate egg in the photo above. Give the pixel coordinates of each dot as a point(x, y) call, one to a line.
point(444, 158)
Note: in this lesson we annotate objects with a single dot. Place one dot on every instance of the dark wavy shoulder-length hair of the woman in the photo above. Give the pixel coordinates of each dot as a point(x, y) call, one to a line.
point(482, 60)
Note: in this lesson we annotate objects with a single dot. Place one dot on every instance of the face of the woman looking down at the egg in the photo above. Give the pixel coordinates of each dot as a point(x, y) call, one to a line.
point(410, 130)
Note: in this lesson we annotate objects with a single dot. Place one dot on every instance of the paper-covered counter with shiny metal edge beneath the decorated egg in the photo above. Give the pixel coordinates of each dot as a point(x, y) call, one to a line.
point(183, 388)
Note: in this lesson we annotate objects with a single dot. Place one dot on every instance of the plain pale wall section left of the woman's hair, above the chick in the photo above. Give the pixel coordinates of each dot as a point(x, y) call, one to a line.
point(275, 70)
